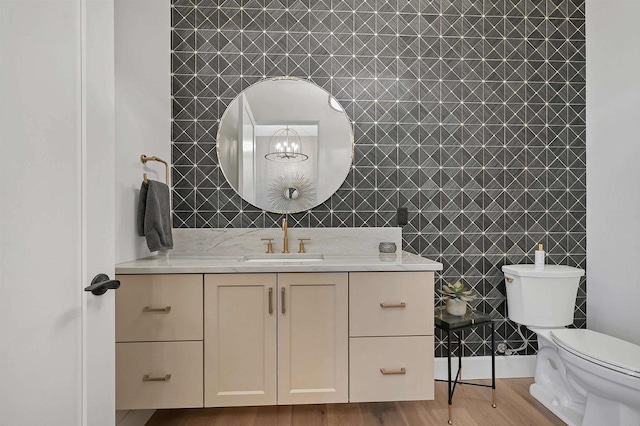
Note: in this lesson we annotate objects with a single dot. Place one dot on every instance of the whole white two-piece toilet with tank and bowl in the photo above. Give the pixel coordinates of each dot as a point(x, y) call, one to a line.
point(583, 377)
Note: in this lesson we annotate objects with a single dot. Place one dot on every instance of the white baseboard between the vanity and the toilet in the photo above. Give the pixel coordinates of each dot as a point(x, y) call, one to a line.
point(479, 367)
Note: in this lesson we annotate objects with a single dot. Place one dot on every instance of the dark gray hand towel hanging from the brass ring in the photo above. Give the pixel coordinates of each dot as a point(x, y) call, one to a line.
point(154, 215)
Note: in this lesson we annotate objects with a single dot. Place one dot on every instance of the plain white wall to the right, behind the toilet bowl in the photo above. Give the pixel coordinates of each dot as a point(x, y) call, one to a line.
point(613, 167)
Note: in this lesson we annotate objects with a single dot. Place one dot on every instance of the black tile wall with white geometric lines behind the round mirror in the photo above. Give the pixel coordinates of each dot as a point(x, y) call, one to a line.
point(470, 113)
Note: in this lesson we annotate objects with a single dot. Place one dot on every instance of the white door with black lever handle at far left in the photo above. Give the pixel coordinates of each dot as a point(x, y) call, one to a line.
point(56, 212)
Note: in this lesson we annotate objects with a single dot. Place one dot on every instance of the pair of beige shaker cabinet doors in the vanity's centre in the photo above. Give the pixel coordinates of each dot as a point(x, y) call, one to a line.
point(301, 317)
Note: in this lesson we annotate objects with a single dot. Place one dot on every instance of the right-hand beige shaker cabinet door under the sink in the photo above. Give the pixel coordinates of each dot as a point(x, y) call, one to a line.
point(313, 338)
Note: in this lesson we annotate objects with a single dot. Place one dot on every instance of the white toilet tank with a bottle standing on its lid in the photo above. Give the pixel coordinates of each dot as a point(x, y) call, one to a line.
point(544, 298)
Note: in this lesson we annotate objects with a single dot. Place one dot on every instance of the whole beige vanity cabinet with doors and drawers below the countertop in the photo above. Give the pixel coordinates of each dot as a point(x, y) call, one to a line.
point(242, 339)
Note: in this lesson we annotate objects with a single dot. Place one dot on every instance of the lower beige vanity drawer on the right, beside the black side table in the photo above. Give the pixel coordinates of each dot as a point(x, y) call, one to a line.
point(368, 355)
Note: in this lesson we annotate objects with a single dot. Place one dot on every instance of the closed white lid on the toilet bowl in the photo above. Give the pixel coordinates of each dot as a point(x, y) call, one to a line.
point(605, 350)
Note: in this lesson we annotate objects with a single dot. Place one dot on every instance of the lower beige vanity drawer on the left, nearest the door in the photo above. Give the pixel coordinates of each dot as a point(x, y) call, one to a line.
point(182, 360)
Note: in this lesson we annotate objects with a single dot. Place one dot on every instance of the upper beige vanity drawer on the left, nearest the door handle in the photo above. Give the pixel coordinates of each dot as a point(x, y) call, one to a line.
point(159, 308)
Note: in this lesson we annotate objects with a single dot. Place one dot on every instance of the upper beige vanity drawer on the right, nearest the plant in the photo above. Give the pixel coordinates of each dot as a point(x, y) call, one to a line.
point(391, 303)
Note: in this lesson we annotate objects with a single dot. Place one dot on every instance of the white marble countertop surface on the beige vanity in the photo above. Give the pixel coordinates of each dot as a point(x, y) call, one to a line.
point(188, 264)
